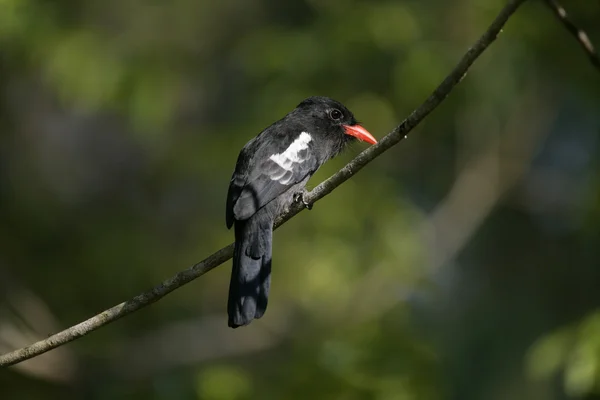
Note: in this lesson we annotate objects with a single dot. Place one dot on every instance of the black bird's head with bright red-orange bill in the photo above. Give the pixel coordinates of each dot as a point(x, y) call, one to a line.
point(333, 119)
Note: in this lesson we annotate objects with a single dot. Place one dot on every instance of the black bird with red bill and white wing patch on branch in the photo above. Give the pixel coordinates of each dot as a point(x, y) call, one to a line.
point(271, 172)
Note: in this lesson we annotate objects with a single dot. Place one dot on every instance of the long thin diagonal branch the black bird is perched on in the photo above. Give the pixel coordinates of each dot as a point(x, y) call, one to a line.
point(326, 187)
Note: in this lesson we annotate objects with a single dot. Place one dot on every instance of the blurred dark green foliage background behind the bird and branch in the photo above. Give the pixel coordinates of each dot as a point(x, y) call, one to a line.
point(462, 264)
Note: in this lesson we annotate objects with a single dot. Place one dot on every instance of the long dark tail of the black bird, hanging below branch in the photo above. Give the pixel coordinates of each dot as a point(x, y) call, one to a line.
point(251, 274)
